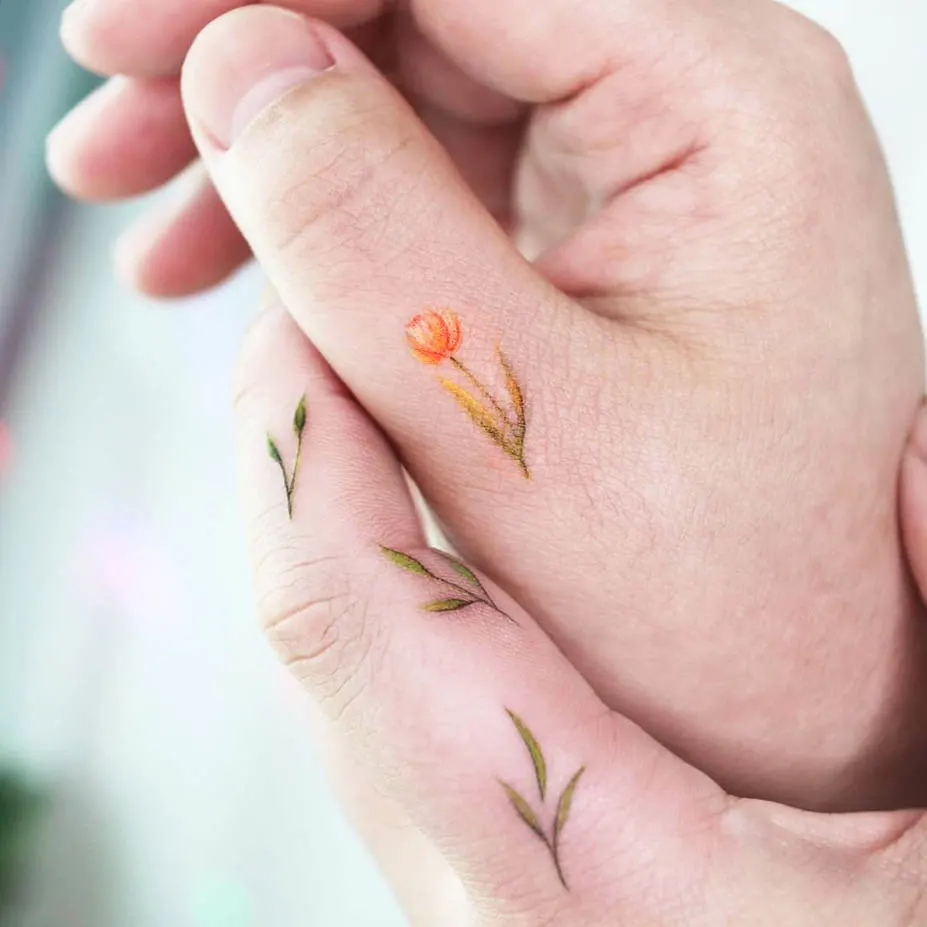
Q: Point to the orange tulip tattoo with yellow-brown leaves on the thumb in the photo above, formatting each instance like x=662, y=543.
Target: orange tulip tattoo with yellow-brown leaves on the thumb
x=435, y=336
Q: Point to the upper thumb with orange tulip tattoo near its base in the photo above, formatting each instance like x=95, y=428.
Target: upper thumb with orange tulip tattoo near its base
x=361, y=221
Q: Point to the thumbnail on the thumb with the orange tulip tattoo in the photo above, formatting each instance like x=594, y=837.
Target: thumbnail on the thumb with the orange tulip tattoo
x=287, y=51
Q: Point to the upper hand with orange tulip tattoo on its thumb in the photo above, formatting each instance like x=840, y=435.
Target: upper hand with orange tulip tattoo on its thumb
x=709, y=372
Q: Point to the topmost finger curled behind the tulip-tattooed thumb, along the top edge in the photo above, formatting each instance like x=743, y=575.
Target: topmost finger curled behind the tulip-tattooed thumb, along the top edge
x=552, y=50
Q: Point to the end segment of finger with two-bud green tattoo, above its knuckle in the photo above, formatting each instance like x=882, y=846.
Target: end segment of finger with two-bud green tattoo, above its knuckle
x=310, y=459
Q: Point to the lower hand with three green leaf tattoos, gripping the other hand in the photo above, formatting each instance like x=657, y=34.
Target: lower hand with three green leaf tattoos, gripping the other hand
x=458, y=740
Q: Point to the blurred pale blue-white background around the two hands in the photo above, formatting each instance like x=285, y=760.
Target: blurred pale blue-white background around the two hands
x=154, y=768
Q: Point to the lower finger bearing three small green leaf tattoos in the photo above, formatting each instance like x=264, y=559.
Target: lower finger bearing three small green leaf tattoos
x=461, y=709
